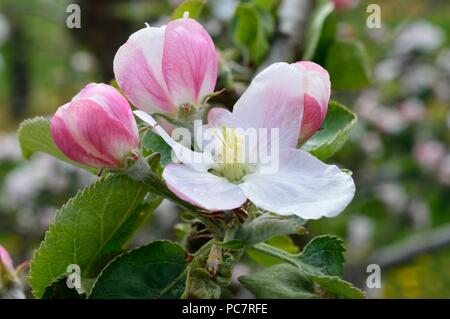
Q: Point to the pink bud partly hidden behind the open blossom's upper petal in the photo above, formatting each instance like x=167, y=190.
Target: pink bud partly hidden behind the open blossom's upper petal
x=317, y=88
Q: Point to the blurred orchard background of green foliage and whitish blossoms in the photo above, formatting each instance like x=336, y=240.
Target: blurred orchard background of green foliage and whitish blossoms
x=398, y=152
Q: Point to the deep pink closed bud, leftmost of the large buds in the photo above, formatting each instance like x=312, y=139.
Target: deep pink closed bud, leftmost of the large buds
x=97, y=128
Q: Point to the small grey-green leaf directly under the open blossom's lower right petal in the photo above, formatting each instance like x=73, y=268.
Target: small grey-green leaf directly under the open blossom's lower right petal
x=267, y=226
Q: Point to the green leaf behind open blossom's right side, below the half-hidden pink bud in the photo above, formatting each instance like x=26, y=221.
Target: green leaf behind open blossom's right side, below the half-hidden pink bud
x=334, y=134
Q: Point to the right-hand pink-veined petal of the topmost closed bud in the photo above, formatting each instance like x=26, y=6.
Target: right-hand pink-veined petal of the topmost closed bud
x=189, y=61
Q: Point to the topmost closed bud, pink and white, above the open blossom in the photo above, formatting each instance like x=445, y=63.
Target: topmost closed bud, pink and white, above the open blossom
x=162, y=68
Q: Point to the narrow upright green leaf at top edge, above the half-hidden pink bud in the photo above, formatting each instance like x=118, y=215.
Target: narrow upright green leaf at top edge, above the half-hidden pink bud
x=321, y=14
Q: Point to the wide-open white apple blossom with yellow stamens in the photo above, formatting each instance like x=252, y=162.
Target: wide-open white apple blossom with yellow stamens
x=302, y=185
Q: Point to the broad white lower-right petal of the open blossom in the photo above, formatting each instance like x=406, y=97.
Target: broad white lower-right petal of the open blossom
x=303, y=186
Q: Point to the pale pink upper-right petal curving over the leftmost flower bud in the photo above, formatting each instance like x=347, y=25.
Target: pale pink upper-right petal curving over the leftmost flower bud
x=112, y=102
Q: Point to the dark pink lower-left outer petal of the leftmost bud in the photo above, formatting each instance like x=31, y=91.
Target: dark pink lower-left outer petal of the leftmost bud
x=69, y=146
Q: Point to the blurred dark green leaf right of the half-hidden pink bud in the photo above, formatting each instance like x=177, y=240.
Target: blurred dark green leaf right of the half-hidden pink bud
x=347, y=63
